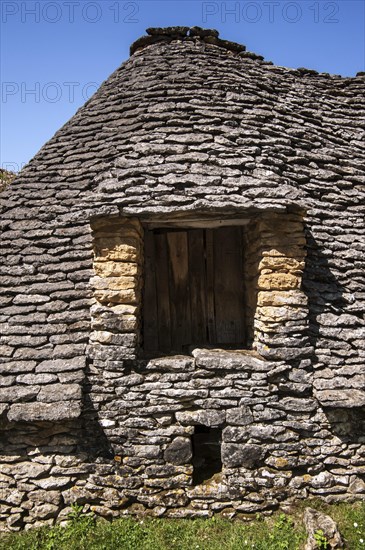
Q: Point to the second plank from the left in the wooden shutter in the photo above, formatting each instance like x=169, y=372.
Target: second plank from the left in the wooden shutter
x=162, y=291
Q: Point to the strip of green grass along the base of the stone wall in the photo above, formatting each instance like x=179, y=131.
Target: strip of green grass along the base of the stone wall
x=279, y=532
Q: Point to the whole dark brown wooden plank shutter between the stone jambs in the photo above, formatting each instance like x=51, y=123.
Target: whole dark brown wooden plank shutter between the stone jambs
x=194, y=289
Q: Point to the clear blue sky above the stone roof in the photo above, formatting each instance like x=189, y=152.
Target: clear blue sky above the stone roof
x=54, y=54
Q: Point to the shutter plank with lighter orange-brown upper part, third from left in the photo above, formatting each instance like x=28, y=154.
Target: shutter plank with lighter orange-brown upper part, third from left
x=179, y=290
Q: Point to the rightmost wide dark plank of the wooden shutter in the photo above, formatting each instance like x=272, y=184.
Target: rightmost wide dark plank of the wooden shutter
x=228, y=285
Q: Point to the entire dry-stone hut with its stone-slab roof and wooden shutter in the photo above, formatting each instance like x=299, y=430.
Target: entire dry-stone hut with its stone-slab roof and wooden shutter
x=183, y=292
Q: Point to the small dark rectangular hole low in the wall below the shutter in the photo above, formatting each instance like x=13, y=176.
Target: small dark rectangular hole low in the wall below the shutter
x=207, y=461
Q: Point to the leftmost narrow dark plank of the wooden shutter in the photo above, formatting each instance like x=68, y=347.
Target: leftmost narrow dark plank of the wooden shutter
x=150, y=323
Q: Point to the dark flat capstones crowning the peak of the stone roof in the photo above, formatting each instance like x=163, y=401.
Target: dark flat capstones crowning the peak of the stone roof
x=168, y=34
